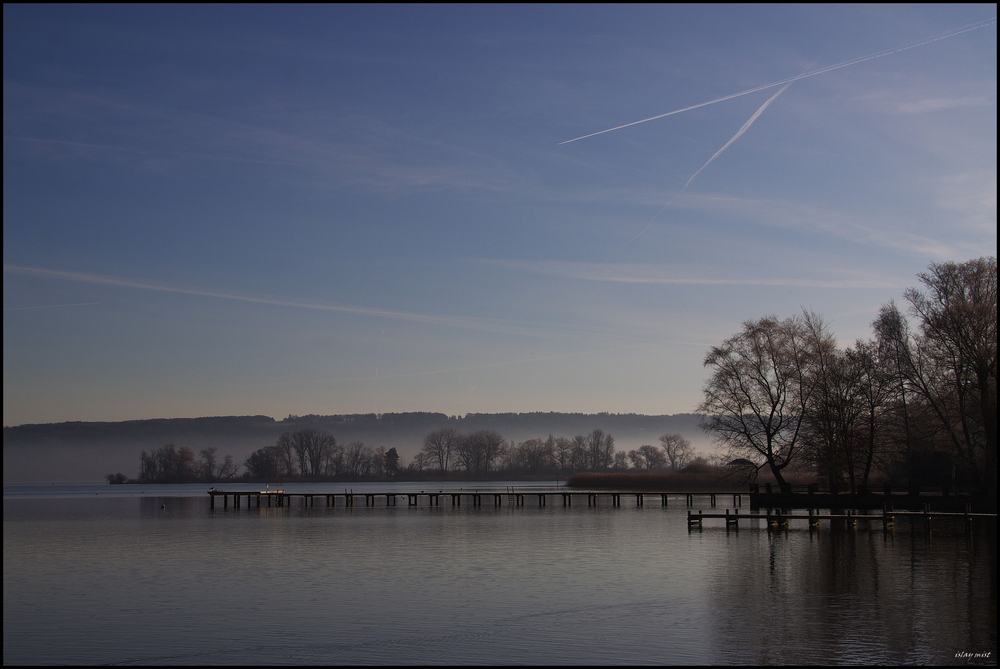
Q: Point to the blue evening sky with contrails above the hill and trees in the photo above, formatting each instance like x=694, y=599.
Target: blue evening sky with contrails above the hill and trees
x=262, y=209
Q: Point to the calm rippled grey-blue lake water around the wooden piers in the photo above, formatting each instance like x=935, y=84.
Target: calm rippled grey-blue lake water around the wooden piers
x=96, y=574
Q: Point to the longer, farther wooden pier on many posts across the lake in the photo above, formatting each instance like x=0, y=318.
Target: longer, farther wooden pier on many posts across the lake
x=512, y=495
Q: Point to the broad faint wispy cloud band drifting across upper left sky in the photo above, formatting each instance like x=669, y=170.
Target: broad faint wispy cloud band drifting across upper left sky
x=340, y=148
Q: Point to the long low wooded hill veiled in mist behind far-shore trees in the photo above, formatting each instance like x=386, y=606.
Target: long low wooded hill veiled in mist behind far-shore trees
x=86, y=451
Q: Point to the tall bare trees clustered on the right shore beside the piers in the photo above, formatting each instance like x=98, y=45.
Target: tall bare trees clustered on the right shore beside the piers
x=912, y=404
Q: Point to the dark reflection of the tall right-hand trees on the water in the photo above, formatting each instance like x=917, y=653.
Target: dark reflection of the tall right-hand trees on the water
x=833, y=597
